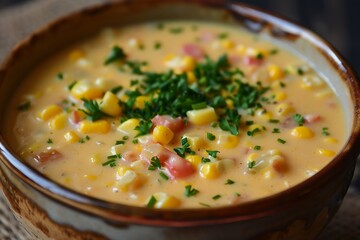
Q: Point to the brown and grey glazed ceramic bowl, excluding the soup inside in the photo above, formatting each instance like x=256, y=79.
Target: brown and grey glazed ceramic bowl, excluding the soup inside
x=50, y=211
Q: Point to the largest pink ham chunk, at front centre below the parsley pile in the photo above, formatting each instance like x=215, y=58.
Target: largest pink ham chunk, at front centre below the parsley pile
x=177, y=166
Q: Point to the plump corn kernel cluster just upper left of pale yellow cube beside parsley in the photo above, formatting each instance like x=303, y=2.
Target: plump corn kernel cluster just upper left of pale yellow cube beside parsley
x=83, y=89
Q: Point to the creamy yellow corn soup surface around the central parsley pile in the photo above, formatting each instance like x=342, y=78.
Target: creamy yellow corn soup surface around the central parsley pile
x=294, y=129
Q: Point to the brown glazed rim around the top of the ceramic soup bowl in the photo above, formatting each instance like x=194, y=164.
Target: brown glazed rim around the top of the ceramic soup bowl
x=124, y=214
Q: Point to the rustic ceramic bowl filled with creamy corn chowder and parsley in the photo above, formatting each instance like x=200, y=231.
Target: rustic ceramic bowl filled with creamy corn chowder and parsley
x=176, y=120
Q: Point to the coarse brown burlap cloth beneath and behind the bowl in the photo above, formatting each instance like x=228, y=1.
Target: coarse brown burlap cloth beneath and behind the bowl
x=18, y=21
